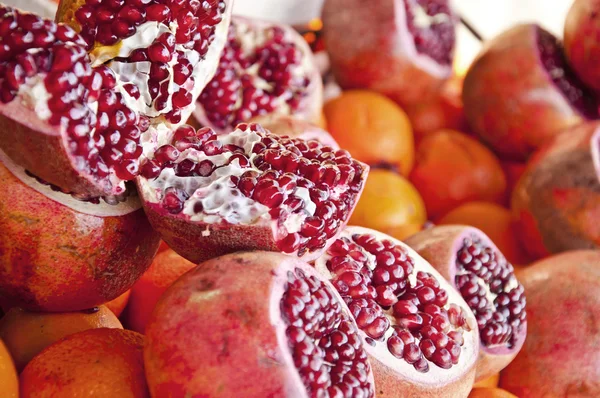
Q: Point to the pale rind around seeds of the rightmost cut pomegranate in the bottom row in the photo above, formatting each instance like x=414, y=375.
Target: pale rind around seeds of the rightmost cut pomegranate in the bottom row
x=440, y=246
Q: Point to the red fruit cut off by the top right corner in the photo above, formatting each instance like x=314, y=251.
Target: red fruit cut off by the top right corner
x=582, y=28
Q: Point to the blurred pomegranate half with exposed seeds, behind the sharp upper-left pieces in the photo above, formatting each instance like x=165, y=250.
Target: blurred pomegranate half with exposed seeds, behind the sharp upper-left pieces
x=266, y=69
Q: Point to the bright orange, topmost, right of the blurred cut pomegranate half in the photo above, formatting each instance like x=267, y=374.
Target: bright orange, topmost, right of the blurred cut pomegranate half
x=373, y=128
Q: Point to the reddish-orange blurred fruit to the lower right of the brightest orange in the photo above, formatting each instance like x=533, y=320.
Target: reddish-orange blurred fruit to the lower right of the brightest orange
x=452, y=168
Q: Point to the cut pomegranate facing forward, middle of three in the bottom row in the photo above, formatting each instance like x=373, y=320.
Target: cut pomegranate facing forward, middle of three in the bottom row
x=419, y=333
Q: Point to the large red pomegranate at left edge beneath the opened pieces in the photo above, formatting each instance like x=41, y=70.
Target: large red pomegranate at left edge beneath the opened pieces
x=61, y=254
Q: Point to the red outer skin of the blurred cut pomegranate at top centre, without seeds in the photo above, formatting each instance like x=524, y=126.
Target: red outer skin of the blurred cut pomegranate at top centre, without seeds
x=382, y=59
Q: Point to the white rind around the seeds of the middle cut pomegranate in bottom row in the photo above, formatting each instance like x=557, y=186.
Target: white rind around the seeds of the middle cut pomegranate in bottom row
x=395, y=377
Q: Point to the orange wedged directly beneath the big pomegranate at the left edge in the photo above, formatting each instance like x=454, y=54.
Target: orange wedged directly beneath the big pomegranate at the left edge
x=27, y=333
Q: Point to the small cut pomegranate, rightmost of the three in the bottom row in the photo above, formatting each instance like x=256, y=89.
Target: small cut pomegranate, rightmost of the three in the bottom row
x=469, y=260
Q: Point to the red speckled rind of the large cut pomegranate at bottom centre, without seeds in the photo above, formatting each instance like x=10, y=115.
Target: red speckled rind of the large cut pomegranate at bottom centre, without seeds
x=211, y=319
